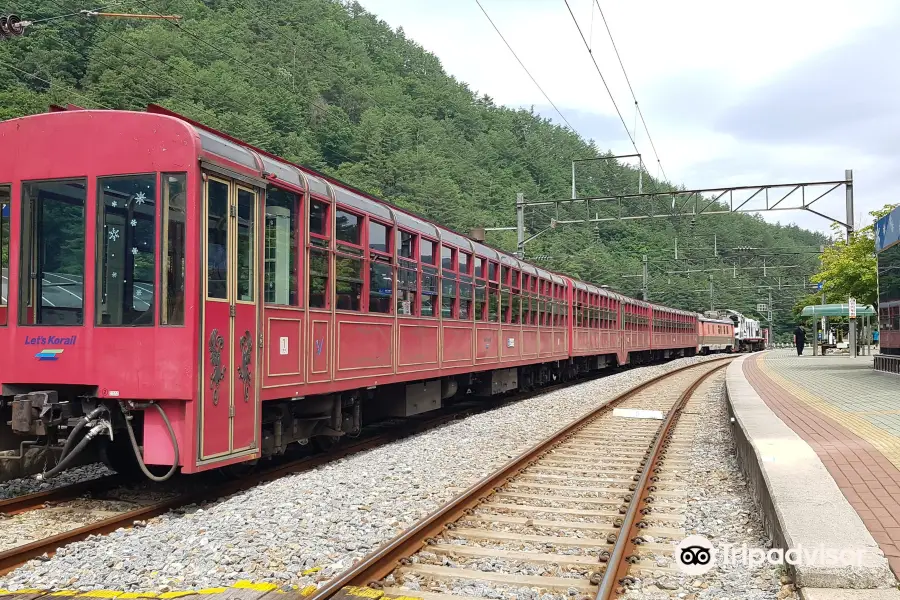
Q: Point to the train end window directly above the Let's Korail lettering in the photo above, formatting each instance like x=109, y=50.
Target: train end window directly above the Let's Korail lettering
x=53, y=252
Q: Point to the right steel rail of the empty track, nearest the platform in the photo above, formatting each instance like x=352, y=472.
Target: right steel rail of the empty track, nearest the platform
x=617, y=567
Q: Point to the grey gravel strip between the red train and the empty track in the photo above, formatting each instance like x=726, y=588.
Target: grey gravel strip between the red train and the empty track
x=305, y=528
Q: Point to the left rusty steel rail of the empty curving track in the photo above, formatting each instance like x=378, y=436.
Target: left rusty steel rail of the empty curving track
x=381, y=562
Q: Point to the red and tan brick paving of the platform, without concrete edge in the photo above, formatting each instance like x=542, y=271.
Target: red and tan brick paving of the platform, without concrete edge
x=850, y=415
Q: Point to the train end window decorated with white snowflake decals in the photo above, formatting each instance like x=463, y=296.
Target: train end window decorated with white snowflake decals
x=126, y=250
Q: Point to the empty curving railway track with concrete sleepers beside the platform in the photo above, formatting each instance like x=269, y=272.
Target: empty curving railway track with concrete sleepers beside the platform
x=582, y=514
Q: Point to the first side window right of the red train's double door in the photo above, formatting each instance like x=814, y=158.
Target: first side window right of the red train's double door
x=282, y=227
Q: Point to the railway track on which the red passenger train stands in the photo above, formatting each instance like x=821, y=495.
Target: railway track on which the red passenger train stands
x=106, y=521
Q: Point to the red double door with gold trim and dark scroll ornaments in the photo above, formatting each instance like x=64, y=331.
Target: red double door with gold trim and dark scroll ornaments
x=230, y=391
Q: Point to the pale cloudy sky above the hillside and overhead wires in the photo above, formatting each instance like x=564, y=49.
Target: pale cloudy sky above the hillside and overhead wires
x=733, y=93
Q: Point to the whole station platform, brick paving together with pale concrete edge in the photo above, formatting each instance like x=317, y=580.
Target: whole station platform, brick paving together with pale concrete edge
x=848, y=414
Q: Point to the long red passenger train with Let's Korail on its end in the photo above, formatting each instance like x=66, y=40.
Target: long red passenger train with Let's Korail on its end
x=177, y=296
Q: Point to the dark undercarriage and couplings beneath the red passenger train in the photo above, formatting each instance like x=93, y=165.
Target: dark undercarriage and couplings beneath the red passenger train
x=44, y=432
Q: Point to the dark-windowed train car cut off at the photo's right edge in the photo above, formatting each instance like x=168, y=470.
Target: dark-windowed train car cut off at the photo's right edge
x=887, y=247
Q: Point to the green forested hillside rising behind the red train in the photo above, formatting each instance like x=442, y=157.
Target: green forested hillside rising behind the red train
x=329, y=85
